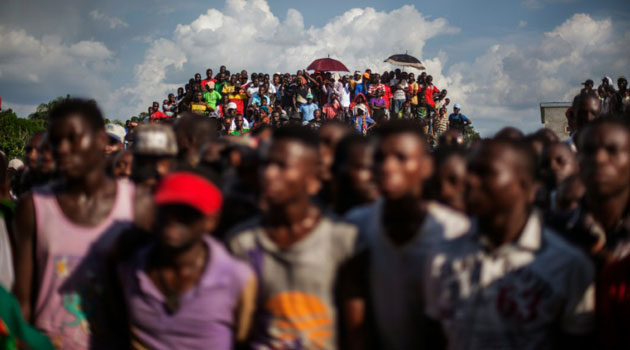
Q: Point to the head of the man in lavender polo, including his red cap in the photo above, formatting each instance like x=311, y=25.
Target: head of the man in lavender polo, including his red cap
x=187, y=208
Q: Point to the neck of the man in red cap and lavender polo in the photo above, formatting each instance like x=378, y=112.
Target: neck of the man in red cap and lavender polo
x=182, y=260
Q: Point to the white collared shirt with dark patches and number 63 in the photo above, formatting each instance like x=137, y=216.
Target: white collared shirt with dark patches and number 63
x=512, y=297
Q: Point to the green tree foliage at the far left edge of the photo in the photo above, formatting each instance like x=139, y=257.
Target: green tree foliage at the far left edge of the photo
x=16, y=132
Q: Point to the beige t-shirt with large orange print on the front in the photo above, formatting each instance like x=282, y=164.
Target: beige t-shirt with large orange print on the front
x=296, y=299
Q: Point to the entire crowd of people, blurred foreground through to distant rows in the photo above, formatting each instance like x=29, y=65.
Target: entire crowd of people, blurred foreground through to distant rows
x=187, y=235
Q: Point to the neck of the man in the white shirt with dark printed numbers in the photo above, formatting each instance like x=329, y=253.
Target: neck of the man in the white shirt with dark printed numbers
x=505, y=227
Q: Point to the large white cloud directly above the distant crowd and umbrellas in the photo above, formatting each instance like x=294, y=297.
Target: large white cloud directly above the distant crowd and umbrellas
x=247, y=35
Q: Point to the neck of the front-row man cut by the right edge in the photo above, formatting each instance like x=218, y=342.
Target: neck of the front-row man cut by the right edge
x=608, y=210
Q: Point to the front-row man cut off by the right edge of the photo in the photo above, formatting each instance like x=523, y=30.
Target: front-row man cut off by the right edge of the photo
x=603, y=225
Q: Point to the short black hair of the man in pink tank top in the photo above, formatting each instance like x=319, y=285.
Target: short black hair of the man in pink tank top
x=87, y=109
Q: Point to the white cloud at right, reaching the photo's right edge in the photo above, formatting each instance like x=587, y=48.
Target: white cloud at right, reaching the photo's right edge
x=505, y=85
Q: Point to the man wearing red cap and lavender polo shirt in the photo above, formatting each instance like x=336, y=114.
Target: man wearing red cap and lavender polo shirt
x=184, y=290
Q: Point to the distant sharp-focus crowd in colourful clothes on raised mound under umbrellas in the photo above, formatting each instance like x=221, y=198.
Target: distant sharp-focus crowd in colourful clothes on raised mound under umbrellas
x=363, y=100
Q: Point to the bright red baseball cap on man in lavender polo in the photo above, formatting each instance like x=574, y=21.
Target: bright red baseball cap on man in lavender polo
x=189, y=189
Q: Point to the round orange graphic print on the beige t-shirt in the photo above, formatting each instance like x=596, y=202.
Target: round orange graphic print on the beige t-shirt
x=299, y=321
